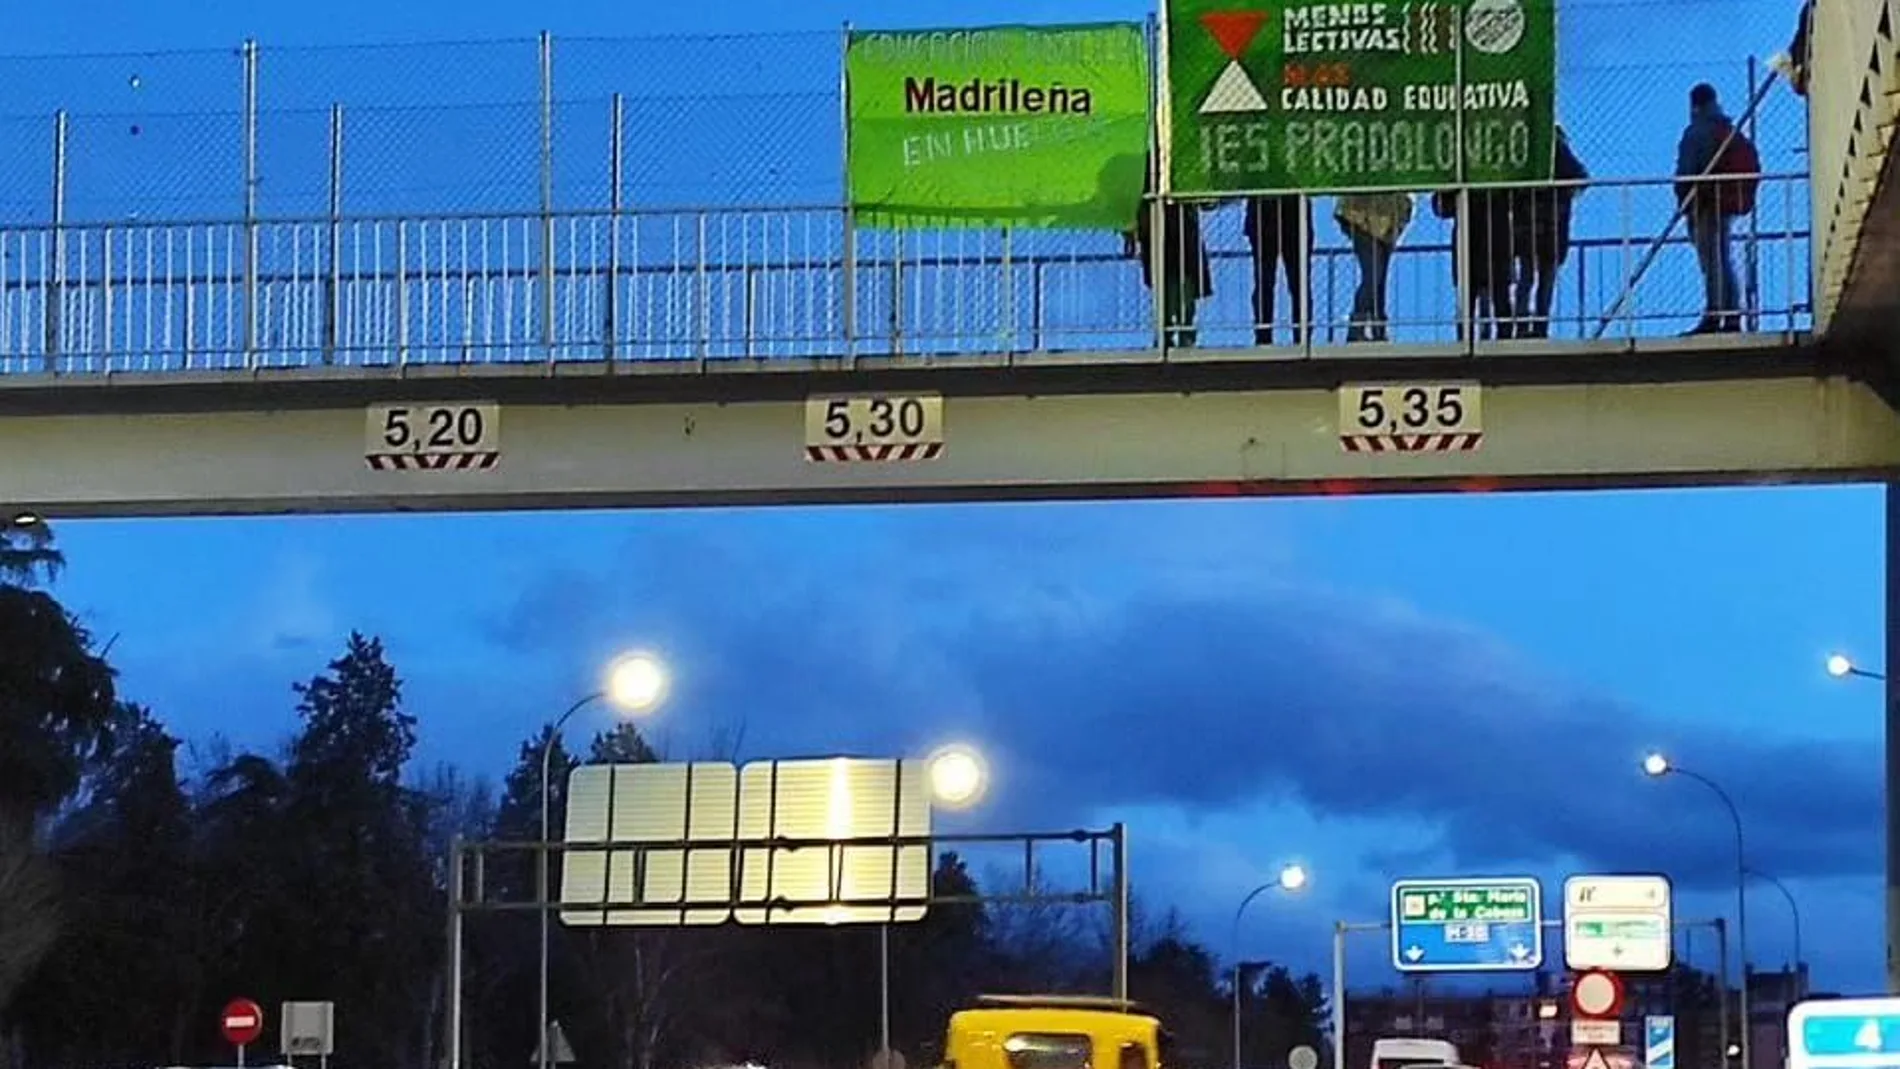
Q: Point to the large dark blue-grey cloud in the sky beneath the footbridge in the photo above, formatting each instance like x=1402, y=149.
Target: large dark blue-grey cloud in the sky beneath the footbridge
x=1139, y=660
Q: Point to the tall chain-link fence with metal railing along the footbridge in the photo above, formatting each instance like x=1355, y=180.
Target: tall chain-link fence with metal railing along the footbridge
x=573, y=198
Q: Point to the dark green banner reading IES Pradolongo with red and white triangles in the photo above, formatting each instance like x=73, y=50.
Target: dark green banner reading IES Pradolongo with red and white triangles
x=1308, y=96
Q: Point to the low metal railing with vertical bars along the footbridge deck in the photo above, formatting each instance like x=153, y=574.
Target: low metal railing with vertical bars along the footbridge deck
x=774, y=284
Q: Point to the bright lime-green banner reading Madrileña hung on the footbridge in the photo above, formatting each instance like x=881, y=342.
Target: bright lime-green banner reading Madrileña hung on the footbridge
x=1006, y=126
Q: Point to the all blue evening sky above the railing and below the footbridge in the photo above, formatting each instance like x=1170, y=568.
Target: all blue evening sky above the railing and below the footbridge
x=1377, y=686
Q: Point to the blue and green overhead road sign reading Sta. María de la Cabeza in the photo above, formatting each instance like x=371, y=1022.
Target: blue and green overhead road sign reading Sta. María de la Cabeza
x=1468, y=926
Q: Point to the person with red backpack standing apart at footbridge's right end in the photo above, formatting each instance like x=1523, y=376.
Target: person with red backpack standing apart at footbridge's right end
x=1713, y=145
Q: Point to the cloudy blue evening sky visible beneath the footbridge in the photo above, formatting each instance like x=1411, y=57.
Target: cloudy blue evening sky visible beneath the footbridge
x=1378, y=688
